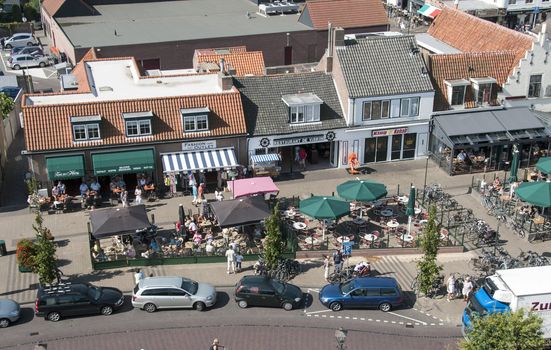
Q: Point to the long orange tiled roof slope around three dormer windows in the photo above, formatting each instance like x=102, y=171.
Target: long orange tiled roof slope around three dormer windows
x=48, y=127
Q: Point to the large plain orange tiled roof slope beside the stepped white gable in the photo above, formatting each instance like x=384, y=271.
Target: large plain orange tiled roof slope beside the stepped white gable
x=472, y=34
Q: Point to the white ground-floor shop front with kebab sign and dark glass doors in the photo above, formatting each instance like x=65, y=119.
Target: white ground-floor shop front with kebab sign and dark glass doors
x=385, y=144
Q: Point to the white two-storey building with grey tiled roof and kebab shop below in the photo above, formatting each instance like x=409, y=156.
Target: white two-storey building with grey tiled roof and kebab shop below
x=386, y=94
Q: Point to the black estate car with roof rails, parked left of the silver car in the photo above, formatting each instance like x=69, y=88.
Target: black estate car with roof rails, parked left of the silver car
x=68, y=299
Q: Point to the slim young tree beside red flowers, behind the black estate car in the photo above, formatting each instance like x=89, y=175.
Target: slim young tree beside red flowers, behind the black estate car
x=44, y=258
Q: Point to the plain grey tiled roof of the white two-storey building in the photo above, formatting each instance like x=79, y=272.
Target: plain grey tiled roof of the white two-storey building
x=378, y=66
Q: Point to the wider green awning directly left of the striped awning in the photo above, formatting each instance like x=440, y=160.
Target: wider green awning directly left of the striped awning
x=123, y=162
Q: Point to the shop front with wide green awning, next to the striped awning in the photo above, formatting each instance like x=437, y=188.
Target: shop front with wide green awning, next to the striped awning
x=127, y=165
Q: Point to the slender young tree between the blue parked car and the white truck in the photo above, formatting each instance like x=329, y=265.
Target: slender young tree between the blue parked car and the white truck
x=428, y=269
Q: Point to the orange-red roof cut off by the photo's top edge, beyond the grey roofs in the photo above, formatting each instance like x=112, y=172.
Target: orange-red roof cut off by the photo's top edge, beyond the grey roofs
x=345, y=13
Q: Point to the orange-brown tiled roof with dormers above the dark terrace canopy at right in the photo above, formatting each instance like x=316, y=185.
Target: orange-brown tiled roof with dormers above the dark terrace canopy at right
x=468, y=65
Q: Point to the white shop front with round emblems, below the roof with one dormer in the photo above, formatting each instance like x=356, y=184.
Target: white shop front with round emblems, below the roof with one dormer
x=298, y=152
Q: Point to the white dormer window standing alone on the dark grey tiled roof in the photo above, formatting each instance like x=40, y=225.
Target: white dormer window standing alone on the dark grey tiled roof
x=303, y=108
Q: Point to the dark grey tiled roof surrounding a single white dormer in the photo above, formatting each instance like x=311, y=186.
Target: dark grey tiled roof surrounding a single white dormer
x=267, y=114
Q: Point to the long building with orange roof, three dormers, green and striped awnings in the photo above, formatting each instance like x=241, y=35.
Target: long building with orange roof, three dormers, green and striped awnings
x=130, y=126
